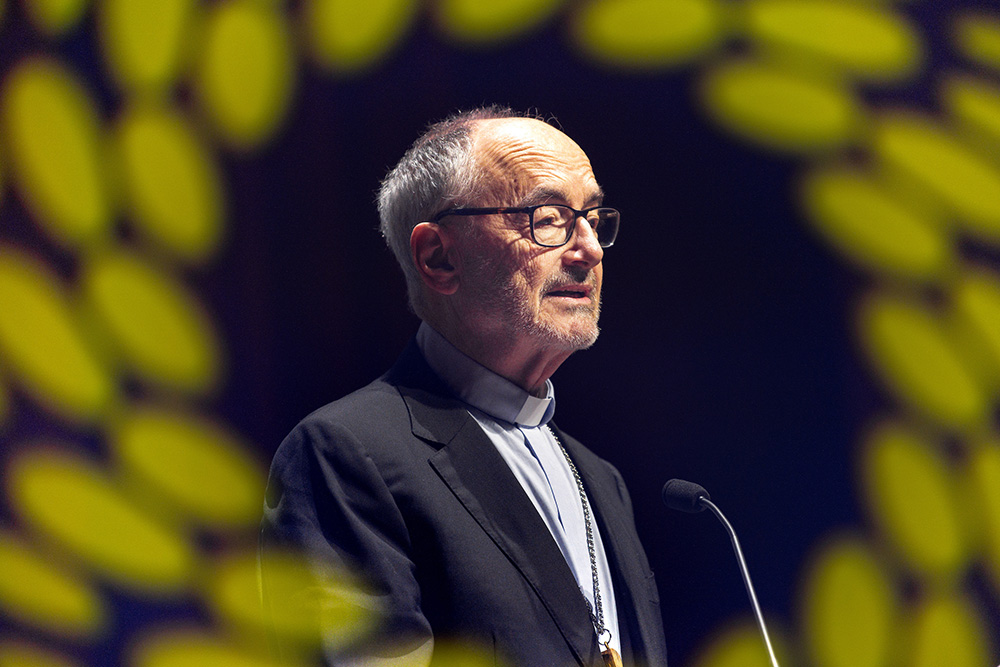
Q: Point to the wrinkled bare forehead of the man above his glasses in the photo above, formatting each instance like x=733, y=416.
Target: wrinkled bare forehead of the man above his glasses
x=518, y=157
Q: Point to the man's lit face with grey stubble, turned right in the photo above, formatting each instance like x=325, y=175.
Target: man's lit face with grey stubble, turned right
x=511, y=287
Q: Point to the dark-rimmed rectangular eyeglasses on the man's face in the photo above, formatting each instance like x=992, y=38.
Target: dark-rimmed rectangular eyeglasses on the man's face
x=552, y=225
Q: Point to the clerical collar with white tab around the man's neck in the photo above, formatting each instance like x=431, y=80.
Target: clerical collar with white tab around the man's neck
x=482, y=388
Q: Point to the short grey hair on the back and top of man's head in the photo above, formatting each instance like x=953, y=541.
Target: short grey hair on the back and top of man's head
x=439, y=171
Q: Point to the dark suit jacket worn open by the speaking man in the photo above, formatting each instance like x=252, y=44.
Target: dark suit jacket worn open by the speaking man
x=398, y=482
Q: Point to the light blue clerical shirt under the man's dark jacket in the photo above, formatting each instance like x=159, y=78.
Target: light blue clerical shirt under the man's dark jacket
x=516, y=423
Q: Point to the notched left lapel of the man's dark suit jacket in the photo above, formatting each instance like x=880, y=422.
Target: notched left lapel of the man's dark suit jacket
x=470, y=465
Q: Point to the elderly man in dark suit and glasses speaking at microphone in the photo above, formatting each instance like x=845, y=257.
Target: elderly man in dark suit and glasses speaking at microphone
x=444, y=484
